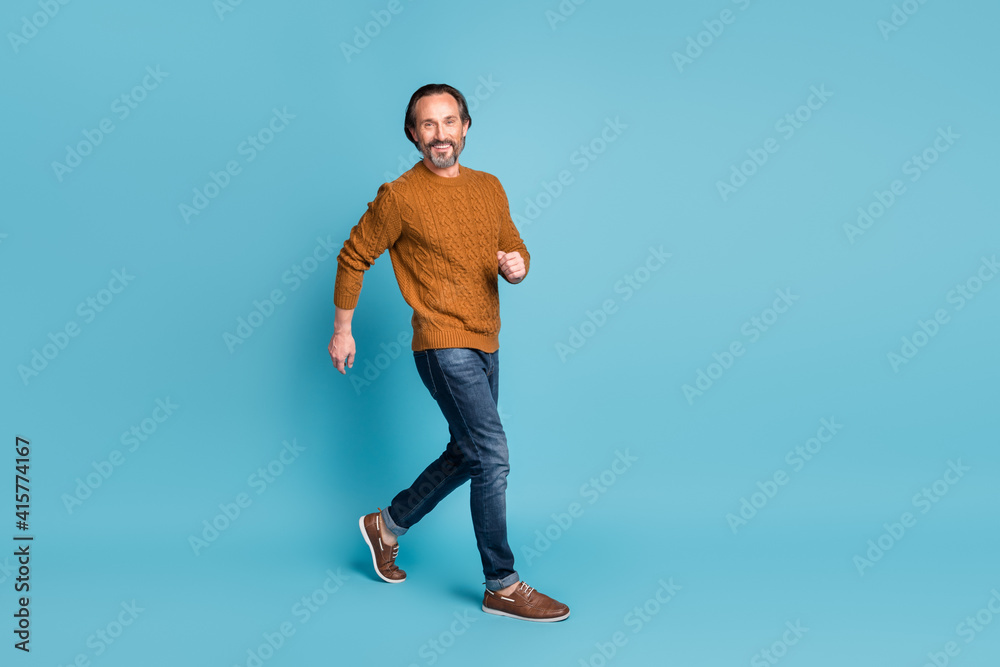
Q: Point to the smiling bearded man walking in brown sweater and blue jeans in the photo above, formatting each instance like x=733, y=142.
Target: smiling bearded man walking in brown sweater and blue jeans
x=450, y=235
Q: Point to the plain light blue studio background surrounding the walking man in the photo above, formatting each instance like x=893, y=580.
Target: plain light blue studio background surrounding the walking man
x=541, y=89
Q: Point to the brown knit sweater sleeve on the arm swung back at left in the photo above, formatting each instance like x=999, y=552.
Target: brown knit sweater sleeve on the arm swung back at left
x=378, y=230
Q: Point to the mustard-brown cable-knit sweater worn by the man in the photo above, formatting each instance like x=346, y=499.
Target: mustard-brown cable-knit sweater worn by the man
x=442, y=235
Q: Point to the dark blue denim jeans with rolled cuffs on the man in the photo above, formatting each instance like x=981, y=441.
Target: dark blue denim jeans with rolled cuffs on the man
x=465, y=383
